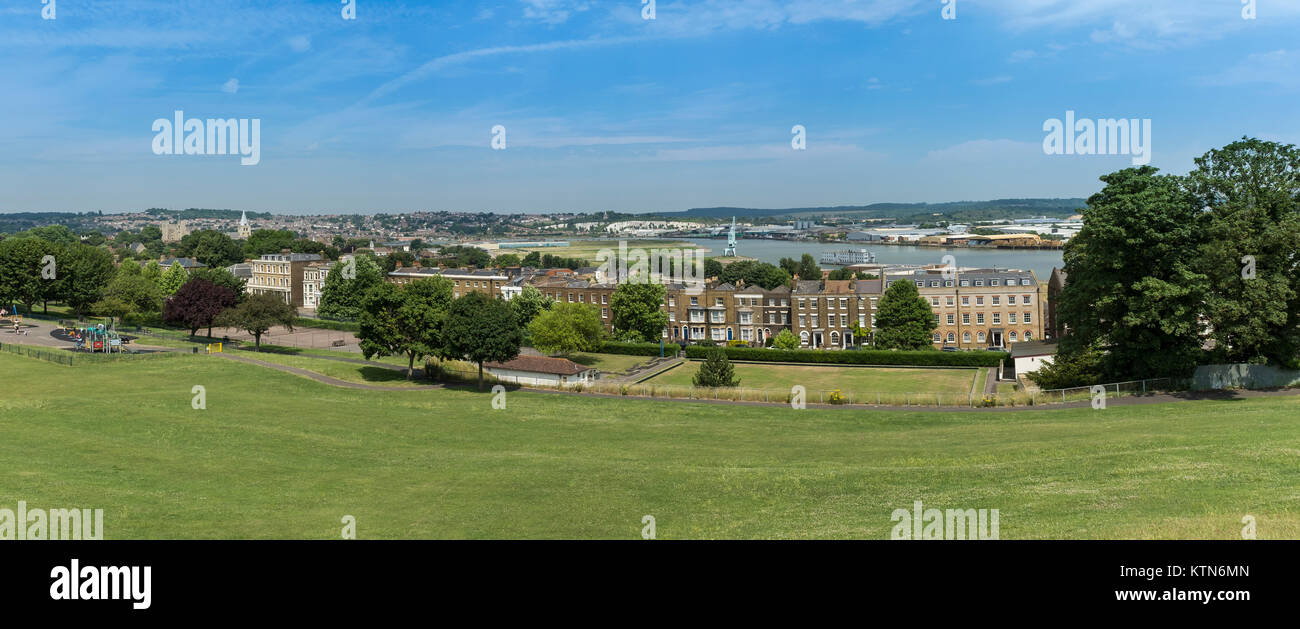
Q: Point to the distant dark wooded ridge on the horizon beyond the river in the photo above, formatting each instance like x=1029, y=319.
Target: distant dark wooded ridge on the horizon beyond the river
x=957, y=211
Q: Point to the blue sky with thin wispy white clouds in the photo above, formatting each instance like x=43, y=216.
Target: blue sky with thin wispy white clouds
x=604, y=110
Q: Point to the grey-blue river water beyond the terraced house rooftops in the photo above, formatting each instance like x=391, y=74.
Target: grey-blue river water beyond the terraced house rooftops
x=1041, y=262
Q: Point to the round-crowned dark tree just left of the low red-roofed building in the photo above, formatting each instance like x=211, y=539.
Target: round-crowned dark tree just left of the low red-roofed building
x=482, y=329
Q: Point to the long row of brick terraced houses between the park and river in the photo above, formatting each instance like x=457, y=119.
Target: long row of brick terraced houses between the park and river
x=978, y=309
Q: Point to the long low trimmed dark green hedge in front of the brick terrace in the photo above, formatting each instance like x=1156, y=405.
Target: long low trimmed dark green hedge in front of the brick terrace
x=856, y=357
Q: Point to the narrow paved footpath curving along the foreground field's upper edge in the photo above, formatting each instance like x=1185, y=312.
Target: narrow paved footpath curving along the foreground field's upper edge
x=1117, y=402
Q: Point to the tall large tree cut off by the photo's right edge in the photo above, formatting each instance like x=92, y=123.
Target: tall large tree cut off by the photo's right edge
x=1253, y=190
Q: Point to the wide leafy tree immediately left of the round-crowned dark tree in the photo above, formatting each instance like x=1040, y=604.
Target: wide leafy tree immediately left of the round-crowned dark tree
x=406, y=320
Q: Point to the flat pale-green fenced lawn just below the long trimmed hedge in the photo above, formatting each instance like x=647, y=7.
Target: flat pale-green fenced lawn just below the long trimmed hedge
x=859, y=380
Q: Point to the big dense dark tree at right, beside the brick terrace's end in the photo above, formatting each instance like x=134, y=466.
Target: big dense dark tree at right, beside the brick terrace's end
x=1134, y=290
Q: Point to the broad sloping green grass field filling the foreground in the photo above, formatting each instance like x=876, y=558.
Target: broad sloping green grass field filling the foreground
x=281, y=457
